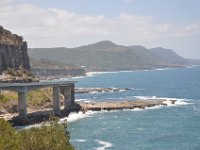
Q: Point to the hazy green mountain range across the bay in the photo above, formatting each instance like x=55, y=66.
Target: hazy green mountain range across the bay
x=108, y=56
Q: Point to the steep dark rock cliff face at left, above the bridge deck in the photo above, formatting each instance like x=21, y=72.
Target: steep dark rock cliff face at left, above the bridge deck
x=13, y=51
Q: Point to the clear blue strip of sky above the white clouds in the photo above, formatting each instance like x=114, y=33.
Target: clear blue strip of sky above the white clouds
x=181, y=11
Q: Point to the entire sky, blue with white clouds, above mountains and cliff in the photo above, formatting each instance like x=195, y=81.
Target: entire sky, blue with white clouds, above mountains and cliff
x=172, y=24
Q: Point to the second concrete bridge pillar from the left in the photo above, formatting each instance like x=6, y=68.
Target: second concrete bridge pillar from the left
x=56, y=100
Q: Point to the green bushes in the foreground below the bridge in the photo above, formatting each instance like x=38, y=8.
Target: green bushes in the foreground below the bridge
x=53, y=137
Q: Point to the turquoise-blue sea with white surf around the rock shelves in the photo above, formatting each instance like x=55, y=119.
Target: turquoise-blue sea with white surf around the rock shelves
x=161, y=128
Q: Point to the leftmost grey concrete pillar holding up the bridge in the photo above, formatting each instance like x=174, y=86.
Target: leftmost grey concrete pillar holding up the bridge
x=22, y=107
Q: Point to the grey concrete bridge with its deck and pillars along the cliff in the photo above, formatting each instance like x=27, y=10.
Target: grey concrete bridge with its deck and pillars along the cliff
x=67, y=88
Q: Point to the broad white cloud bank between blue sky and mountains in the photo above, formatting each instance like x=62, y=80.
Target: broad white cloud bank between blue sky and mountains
x=54, y=27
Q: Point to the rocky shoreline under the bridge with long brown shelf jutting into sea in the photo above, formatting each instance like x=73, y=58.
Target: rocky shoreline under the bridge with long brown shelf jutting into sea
x=39, y=116
